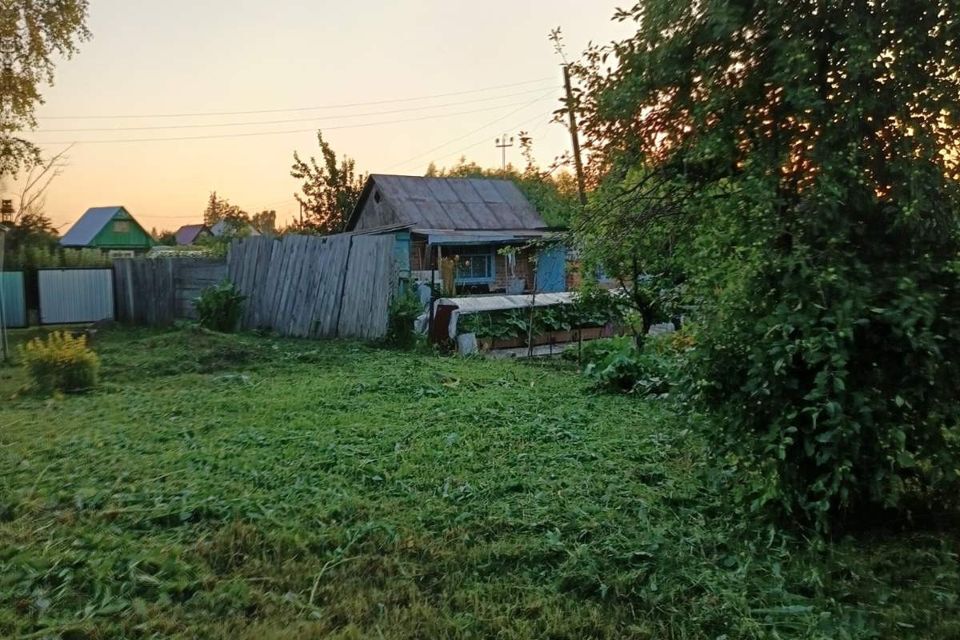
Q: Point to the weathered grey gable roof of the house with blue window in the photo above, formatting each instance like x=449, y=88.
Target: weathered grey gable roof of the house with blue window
x=449, y=203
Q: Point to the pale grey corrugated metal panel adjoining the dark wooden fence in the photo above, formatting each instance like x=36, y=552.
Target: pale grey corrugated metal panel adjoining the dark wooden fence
x=69, y=296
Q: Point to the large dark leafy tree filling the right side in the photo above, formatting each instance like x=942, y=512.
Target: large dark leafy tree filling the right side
x=828, y=276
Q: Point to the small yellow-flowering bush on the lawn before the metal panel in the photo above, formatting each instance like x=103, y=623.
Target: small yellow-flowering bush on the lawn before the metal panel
x=60, y=363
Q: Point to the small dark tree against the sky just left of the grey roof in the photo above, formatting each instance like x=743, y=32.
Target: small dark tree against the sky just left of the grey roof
x=331, y=189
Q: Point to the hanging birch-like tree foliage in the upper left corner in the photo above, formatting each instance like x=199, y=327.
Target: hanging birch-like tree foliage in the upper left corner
x=32, y=33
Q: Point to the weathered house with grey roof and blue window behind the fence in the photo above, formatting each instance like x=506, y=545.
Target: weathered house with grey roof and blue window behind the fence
x=474, y=221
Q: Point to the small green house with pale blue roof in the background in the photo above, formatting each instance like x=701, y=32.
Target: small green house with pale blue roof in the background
x=110, y=229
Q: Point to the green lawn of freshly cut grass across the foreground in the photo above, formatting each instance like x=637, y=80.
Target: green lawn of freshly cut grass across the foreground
x=244, y=487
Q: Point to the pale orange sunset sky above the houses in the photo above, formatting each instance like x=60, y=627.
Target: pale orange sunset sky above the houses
x=393, y=84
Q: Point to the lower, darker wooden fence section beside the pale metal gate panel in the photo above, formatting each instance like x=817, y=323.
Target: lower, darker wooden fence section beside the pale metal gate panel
x=157, y=291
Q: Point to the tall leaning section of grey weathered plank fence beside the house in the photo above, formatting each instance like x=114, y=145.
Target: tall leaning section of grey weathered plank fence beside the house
x=307, y=286
